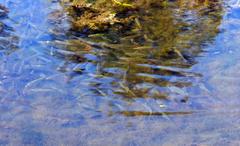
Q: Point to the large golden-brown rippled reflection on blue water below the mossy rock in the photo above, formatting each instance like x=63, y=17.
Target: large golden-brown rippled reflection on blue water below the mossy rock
x=152, y=60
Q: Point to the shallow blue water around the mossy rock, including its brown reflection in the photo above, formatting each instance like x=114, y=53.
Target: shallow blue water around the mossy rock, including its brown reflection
x=56, y=89
